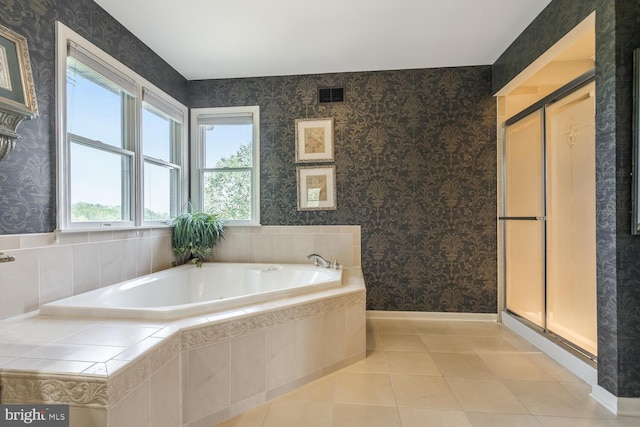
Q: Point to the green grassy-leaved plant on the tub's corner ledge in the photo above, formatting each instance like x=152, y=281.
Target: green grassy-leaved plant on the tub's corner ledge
x=195, y=234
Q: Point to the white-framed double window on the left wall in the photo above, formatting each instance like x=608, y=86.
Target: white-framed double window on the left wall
x=120, y=143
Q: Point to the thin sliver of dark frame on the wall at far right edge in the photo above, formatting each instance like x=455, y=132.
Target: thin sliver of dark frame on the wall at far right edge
x=635, y=192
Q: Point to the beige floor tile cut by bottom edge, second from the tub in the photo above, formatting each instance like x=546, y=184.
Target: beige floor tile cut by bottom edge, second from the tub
x=296, y=413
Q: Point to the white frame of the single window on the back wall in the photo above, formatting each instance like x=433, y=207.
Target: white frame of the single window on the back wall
x=198, y=158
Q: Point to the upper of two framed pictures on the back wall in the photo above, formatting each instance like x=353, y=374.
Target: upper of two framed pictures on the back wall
x=314, y=140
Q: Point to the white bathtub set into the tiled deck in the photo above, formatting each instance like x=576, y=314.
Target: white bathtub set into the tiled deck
x=188, y=290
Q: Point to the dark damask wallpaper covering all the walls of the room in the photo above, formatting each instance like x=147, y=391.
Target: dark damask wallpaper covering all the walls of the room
x=415, y=155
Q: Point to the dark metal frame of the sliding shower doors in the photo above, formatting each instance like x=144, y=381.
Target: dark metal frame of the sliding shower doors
x=539, y=106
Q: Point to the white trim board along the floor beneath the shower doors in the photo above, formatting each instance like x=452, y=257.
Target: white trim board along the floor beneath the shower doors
x=577, y=366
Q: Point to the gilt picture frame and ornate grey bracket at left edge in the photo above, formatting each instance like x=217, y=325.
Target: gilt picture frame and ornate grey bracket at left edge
x=17, y=91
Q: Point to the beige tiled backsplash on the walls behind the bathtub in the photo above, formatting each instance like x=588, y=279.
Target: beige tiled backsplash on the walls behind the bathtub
x=51, y=266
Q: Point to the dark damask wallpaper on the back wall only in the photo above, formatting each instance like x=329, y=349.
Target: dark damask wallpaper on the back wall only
x=416, y=168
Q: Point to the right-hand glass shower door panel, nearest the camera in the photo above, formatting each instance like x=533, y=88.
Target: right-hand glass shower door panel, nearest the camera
x=571, y=222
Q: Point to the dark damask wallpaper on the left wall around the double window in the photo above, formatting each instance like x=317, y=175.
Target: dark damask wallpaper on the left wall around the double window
x=27, y=176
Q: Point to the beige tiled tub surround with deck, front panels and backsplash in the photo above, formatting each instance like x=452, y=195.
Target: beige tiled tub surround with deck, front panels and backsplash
x=196, y=371
